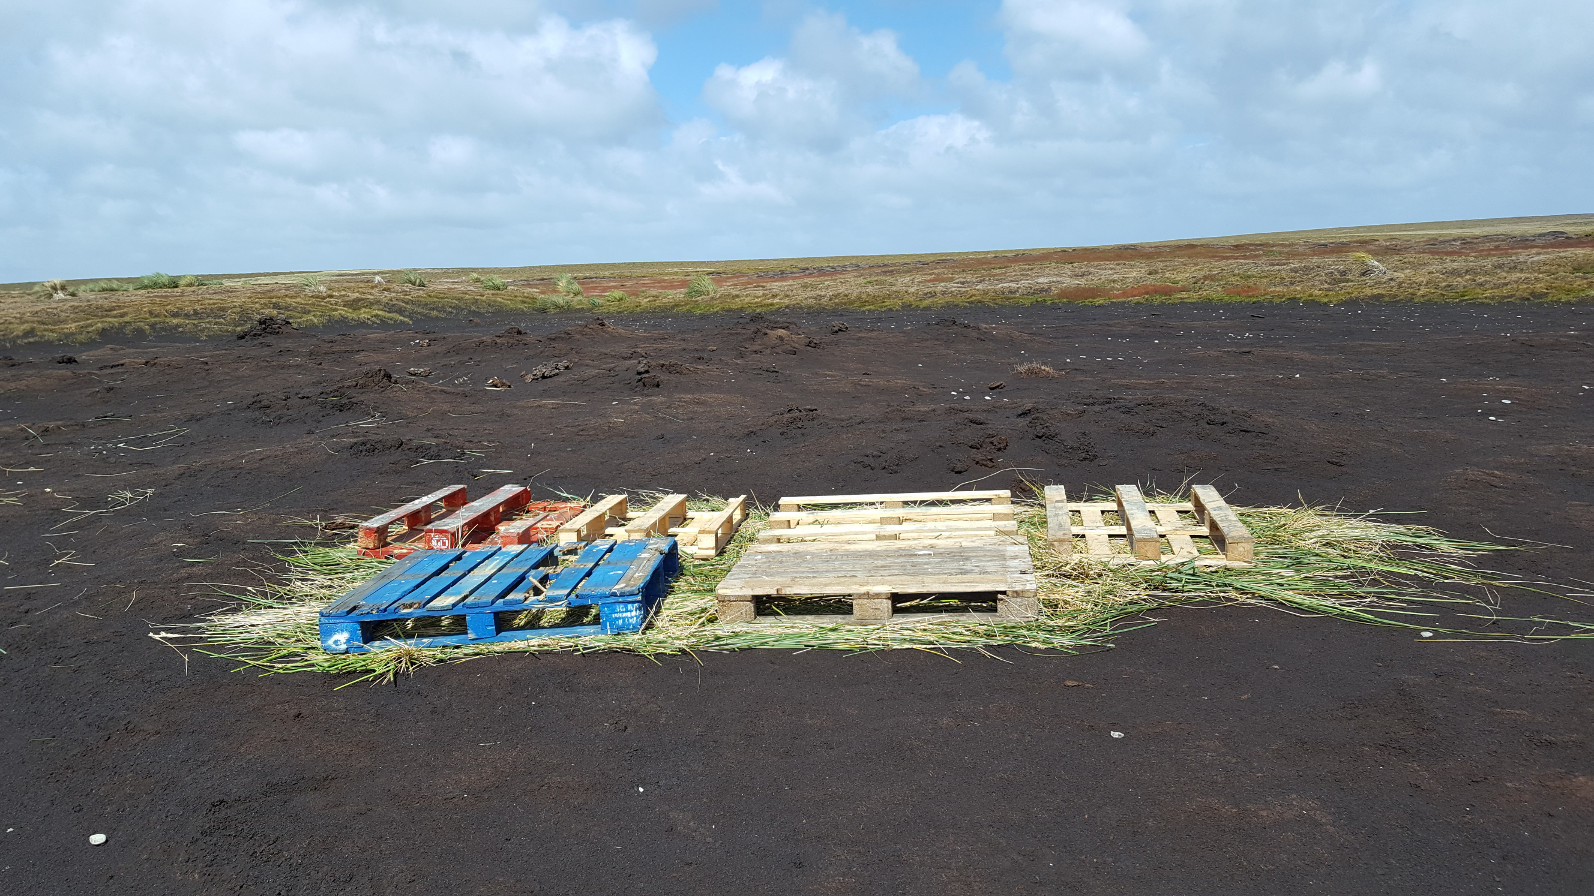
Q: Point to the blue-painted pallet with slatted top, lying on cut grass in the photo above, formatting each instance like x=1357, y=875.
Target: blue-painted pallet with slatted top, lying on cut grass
x=624, y=580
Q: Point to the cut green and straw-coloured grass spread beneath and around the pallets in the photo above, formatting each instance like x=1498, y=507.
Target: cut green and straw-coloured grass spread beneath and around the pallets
x=1309, y=562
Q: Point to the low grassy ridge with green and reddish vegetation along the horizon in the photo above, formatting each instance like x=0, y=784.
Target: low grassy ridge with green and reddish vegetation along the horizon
x=1499, y=261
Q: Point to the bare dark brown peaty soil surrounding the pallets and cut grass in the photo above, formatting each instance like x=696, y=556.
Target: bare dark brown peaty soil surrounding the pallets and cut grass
x=1262, y=753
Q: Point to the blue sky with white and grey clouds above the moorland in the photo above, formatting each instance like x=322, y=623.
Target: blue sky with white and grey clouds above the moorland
x=200, y=136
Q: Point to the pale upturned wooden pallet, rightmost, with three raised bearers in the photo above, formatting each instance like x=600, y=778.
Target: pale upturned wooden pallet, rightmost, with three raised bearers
x=1129, y=530
